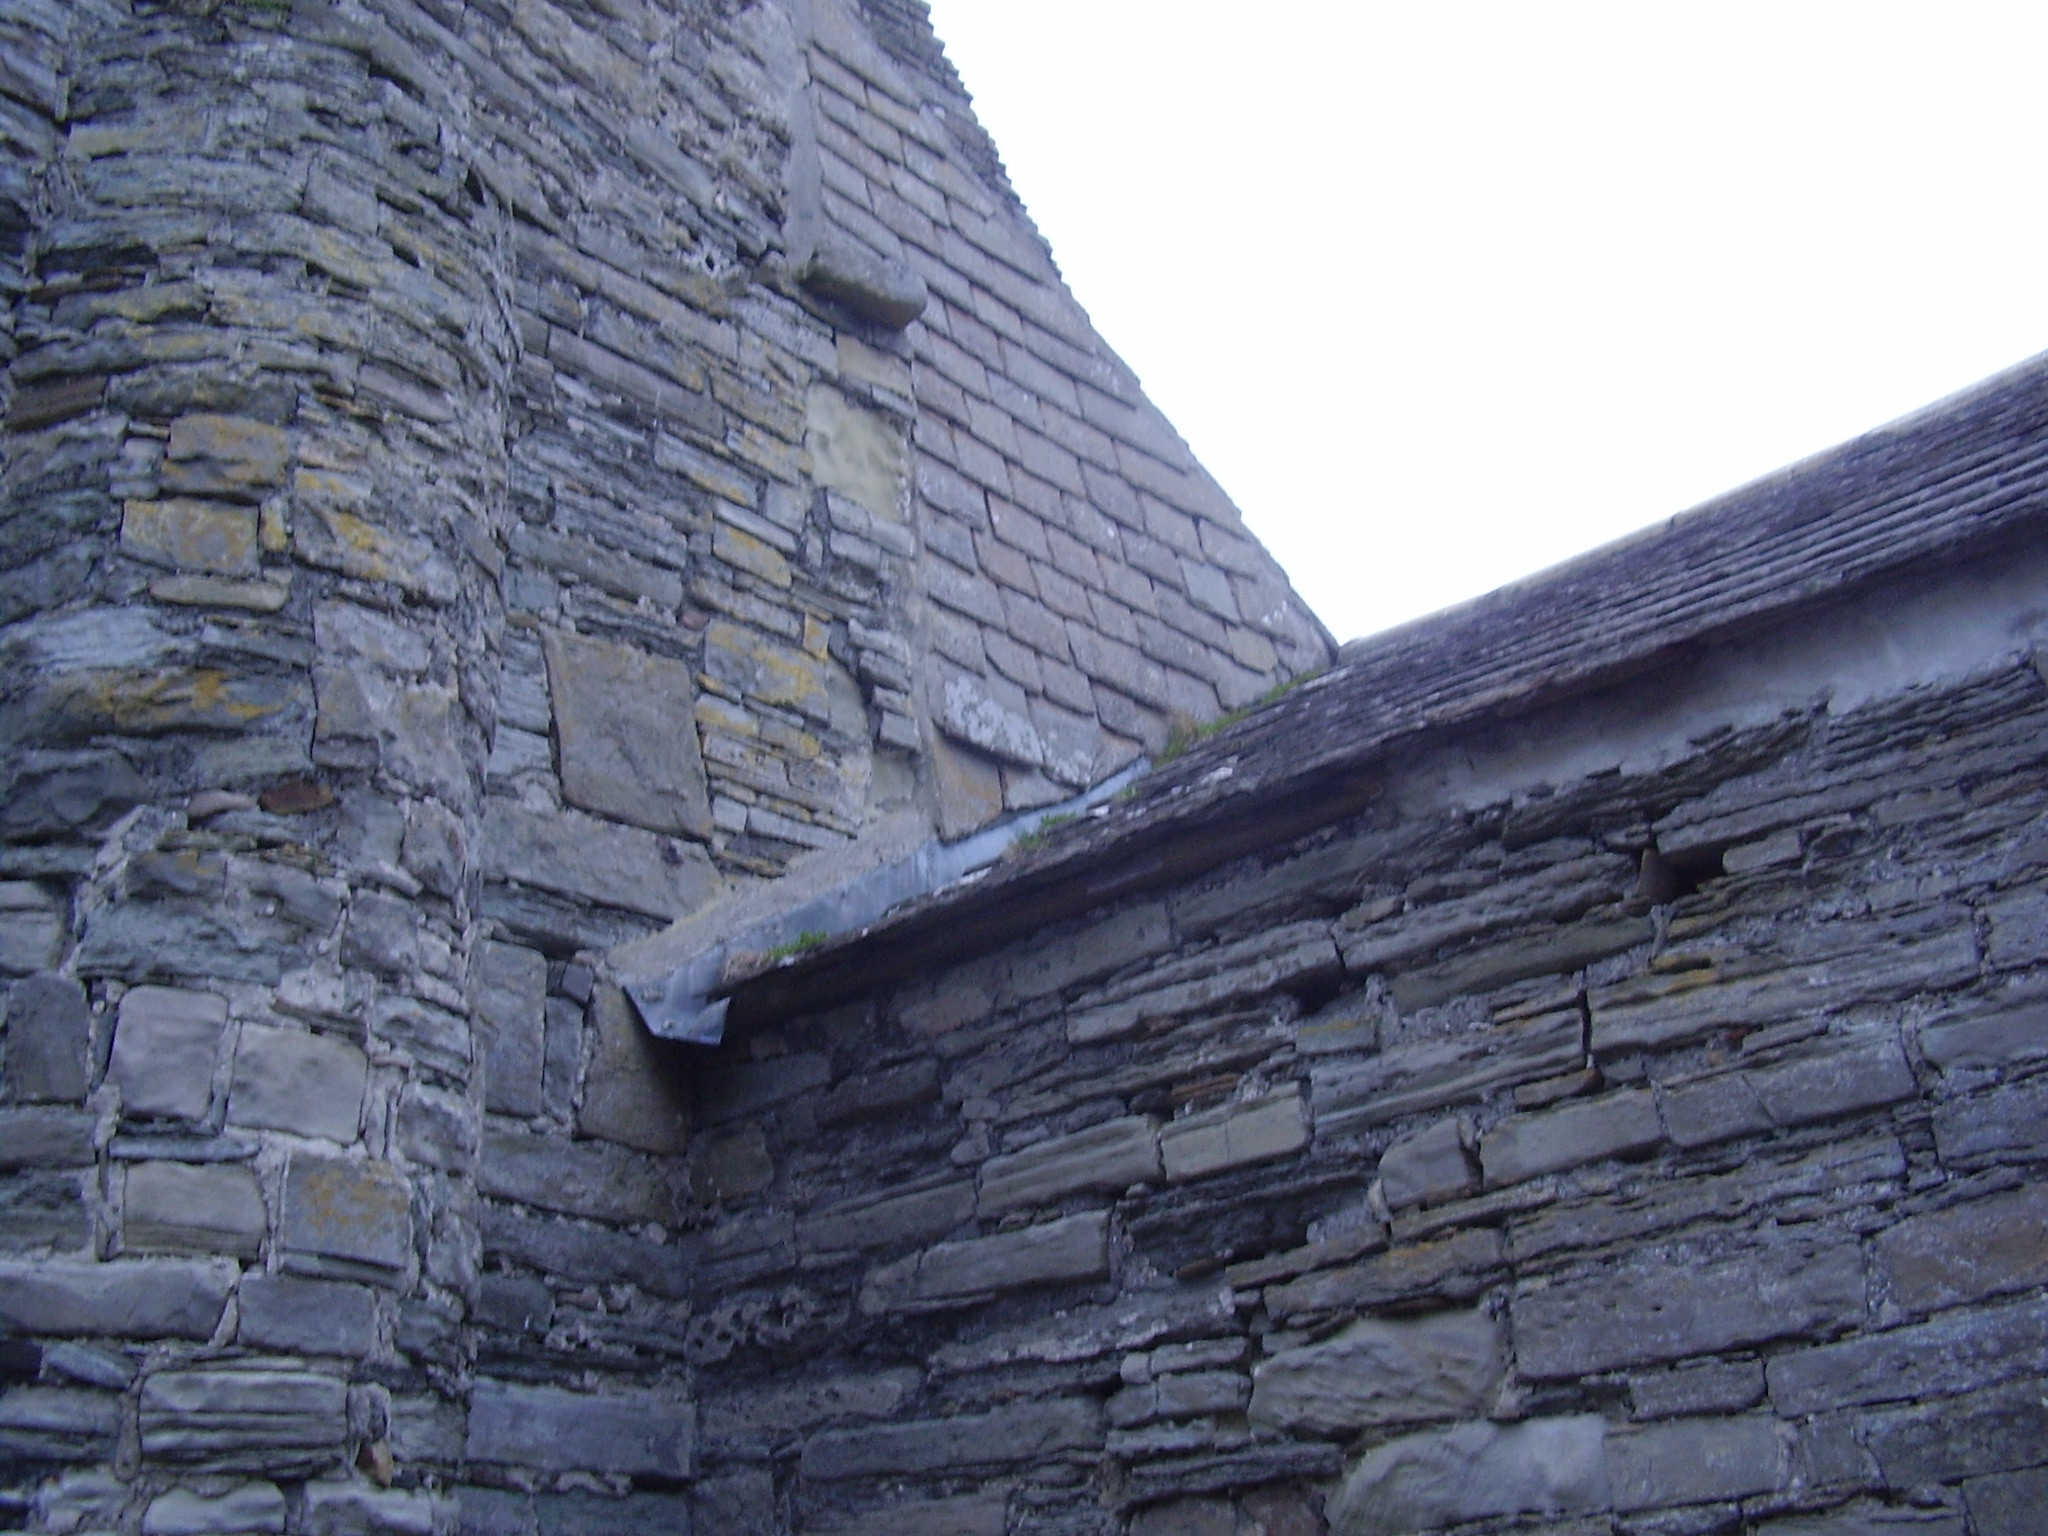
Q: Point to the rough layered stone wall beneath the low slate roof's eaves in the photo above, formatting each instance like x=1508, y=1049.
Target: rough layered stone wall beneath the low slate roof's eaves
x=1629, y=1121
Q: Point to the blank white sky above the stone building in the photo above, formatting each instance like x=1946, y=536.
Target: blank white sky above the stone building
x=1447, y=292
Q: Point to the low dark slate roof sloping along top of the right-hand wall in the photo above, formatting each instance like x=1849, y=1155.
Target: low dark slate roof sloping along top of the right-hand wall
x=1953, y=482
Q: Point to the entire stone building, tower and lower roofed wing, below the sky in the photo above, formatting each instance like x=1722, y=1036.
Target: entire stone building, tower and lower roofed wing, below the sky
x=517, y=511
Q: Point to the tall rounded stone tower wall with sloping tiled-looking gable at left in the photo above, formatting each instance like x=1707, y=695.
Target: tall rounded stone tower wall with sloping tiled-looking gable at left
x=480, y=484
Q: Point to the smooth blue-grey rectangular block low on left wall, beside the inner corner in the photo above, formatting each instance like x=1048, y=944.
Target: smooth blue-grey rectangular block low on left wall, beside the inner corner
x=638, y=1435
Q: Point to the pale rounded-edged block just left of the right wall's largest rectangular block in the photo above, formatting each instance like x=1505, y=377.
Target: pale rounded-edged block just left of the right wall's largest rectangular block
x=1373, y=1373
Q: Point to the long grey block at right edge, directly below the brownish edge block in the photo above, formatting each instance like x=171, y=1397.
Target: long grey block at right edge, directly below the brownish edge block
x=1949, y=1355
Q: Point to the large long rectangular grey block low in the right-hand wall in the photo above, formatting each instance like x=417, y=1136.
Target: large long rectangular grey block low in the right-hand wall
x=1672, y=1308
